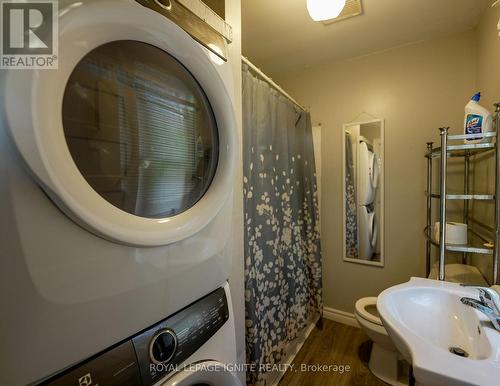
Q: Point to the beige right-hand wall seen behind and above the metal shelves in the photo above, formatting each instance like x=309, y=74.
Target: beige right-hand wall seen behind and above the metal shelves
x=488, y=81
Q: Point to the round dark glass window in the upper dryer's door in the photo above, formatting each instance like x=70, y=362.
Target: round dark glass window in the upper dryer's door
x=140, y=129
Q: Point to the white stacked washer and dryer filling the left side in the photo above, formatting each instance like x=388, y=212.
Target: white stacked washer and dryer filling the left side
x=116, y=175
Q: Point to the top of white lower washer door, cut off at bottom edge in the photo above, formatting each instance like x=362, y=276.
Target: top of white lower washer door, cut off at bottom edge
x=208, y=373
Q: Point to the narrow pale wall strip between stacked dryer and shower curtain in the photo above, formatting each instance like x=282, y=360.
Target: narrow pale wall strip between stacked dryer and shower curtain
x=236, y=280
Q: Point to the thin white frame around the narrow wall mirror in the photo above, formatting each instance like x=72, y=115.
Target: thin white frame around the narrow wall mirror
x=380, y=263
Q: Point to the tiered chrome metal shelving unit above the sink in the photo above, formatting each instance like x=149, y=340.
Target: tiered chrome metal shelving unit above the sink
x=465, y=151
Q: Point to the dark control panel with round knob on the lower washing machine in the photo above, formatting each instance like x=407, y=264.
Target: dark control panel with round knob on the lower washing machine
x=155, y=352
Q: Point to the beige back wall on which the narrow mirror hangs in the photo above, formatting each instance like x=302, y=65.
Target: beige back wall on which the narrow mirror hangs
x=416, y=89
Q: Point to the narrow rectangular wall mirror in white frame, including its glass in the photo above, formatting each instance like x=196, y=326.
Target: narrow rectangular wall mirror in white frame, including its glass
x=363, y=192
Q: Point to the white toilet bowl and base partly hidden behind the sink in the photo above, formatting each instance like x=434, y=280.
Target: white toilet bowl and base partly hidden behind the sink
x=385, y=361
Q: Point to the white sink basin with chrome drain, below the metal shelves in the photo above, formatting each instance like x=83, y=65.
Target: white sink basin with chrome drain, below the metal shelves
x=425, y=319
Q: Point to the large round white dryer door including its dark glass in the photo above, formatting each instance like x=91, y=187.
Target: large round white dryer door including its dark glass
x=134, y=136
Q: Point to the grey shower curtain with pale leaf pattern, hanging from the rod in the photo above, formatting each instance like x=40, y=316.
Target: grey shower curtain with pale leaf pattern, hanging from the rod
x=283, y=272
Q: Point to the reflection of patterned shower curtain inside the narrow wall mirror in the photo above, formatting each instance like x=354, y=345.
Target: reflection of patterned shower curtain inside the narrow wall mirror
x=351, y=211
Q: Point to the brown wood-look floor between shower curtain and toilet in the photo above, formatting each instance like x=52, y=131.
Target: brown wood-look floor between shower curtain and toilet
x=336, y=344
